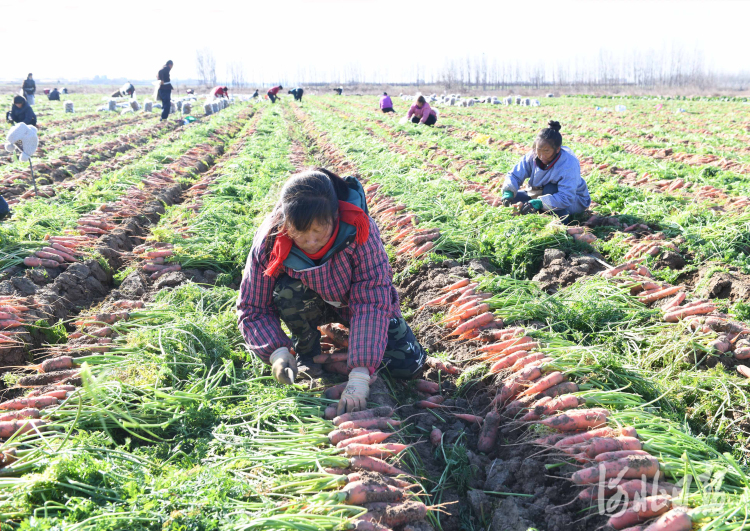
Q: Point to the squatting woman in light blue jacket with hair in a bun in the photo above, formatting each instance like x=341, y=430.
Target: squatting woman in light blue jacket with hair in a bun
x=554, y=174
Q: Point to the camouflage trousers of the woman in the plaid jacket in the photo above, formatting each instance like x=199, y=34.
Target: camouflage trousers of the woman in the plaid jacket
x=303, y=311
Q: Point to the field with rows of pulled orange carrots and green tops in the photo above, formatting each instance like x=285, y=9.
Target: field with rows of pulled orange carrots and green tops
x=580, y=376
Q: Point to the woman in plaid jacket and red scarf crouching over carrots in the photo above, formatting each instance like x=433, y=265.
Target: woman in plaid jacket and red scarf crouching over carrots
x=318, y=259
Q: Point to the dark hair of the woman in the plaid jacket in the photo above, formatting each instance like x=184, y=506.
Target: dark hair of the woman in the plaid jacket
x=309, y=196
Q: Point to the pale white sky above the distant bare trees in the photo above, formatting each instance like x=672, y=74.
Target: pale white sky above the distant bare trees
x=277, y=39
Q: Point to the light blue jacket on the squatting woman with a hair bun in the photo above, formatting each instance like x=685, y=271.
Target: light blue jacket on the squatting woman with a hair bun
x=572, y=192
